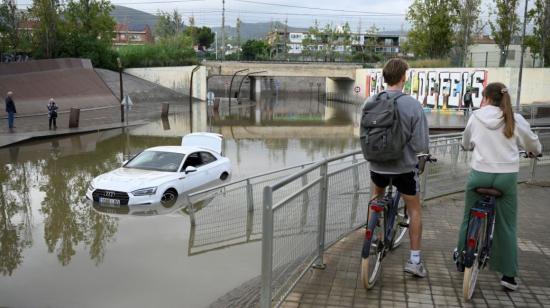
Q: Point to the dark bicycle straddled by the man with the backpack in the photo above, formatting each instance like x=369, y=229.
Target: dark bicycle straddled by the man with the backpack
x=385, y=229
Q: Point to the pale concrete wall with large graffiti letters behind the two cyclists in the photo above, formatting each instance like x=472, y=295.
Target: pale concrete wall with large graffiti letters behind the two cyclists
x=453, y=82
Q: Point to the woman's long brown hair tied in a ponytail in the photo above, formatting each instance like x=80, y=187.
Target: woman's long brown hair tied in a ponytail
x=497, y=95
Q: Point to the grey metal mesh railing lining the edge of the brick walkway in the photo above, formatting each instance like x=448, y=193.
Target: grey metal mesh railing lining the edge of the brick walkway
x=298, y=229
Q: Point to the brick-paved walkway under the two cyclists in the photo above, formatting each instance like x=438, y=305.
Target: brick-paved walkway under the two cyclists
x=339, y=285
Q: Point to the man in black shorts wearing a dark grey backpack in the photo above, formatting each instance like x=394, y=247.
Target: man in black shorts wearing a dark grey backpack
x=394, y=129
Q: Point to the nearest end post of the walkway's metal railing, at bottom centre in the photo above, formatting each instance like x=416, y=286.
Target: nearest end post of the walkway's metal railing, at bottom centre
x=267, y=248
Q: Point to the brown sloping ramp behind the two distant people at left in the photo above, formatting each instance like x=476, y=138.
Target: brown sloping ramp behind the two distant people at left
x=71, y=82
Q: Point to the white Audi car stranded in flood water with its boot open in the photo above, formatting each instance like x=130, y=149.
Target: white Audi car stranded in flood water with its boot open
x=161, y=174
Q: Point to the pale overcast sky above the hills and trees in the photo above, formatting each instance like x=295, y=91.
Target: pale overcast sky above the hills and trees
x=385, y=14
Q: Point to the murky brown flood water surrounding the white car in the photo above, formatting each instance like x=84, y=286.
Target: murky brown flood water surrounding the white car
x=57, y=250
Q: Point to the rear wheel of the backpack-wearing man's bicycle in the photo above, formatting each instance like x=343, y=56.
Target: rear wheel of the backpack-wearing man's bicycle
x=371, y=261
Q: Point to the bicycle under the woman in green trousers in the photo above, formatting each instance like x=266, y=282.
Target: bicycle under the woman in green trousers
x=479, y=236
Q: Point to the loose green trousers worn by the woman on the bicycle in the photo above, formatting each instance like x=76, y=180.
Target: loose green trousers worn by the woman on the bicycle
x=504, y=257
